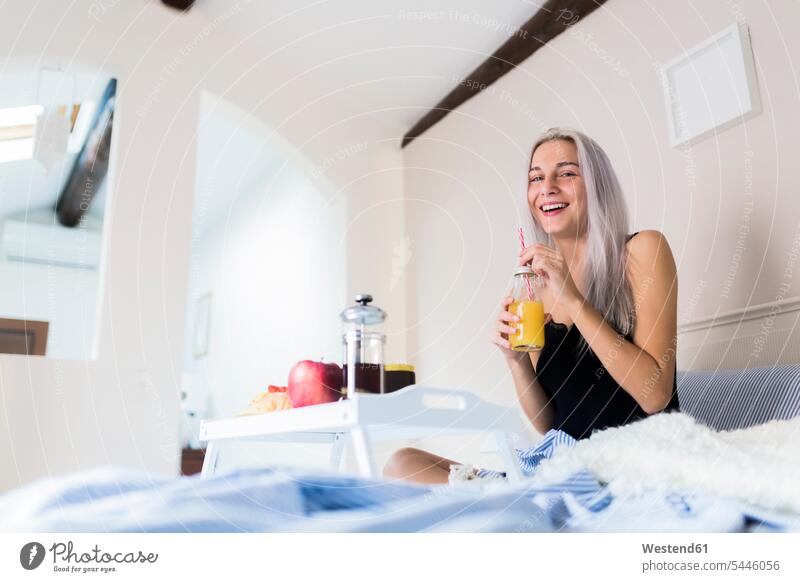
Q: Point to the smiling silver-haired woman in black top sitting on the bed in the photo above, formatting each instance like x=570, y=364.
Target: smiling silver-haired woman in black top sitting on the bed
x=610, y=338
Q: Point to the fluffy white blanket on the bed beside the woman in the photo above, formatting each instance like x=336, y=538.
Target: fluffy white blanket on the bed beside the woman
x=673, y=453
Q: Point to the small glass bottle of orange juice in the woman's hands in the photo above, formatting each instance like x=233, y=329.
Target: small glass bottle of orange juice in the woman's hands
x=529, y=336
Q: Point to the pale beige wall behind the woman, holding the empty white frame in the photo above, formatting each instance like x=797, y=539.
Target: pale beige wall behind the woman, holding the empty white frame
x=466, y=187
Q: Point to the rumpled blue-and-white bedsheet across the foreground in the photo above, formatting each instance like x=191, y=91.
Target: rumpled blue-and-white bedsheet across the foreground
x=285, y=499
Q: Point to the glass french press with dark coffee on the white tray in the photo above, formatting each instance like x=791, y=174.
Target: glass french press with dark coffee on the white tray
x=363, y=350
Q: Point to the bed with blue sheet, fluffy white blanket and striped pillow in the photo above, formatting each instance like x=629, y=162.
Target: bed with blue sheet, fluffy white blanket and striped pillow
x=729, y=461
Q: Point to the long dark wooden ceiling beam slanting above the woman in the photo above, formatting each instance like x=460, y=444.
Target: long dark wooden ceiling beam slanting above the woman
x=553, y=18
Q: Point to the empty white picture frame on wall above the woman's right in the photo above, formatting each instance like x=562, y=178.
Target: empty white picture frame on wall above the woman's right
x=711, y=87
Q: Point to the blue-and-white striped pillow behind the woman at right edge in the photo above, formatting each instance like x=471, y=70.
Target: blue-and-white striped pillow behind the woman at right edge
x=731, y=399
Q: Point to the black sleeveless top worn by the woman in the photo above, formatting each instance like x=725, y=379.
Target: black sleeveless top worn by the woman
x=584, y=395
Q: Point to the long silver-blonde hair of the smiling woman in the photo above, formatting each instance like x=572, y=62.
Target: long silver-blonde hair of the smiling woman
x=606, y=229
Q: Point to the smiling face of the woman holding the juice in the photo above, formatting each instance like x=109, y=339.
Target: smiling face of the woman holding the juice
x=556, y=191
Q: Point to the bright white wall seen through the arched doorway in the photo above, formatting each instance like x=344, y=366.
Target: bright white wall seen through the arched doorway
x=273, y=260
